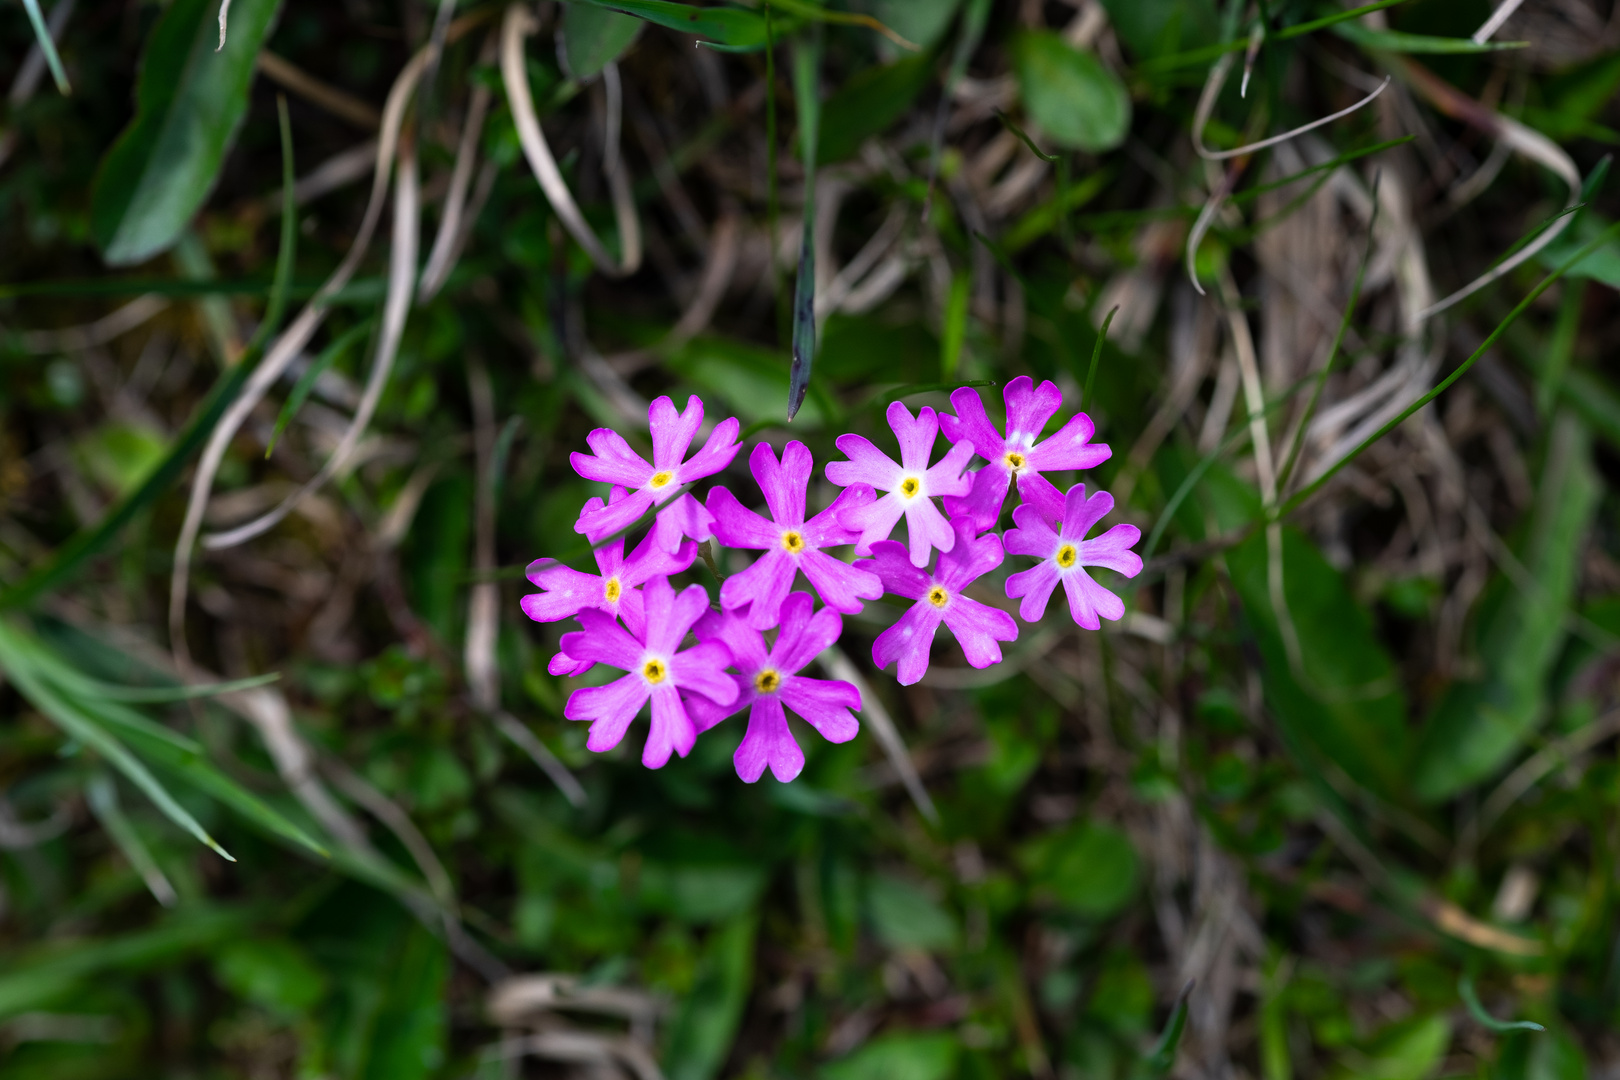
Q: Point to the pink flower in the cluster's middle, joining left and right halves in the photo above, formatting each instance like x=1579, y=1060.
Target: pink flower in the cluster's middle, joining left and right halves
x=791, y=543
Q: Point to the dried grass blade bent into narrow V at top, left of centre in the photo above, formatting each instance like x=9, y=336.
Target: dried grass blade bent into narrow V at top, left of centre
x=516, y=28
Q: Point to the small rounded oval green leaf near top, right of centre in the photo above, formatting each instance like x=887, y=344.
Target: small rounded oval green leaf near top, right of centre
x=1075, y=100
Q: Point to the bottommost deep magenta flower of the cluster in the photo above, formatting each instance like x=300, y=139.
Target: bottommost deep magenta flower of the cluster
x=769, y=681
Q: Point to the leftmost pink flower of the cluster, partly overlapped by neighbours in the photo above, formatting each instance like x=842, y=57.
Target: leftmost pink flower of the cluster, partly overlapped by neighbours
x=613, y=590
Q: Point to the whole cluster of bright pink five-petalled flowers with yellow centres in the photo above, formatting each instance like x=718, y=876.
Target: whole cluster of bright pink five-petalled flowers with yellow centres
x=633, y=618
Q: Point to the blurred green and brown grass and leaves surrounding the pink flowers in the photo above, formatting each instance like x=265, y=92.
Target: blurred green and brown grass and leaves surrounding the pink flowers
x=1336, y=799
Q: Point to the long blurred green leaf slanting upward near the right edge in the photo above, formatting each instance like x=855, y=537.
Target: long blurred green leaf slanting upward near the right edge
x=1481, y=725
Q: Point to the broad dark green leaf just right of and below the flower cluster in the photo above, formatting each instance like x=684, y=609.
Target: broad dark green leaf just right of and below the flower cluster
x=1345, y=708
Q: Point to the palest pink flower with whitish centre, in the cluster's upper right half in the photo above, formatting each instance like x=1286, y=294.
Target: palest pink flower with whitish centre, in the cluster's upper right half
x=910, y=485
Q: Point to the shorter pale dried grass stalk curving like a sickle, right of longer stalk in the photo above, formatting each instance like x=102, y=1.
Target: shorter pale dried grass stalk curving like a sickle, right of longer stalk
x=396, y=308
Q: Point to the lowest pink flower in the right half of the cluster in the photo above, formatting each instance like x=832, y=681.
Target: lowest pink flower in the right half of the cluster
x=978, y=627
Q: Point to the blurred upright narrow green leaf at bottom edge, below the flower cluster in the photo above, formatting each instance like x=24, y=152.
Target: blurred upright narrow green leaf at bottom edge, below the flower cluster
x=707, y=1021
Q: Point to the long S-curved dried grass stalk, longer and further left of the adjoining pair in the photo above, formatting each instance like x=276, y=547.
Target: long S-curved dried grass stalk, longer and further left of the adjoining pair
x=283, y=354
